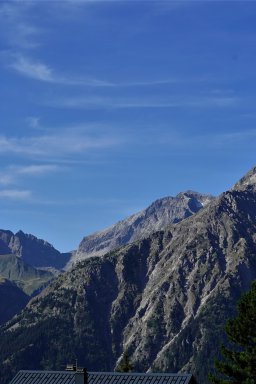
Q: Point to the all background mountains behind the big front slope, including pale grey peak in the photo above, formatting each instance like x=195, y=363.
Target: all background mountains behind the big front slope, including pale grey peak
x=31, y=263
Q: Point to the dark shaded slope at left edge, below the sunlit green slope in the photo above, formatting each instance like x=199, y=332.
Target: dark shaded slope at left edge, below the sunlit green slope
x=12, y=300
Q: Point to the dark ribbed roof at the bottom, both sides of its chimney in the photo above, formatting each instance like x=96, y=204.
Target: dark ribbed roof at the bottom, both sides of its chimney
x=72, y=377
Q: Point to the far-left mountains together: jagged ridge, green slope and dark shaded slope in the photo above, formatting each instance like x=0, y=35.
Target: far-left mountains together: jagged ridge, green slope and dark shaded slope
x=27, y=265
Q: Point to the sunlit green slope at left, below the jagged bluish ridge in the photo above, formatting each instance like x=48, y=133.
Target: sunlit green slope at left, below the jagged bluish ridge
x=29, y=279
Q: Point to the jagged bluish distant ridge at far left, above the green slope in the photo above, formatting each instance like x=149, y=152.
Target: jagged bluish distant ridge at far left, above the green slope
x=34, y=251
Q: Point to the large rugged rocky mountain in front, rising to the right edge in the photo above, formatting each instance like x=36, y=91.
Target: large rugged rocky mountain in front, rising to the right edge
x=163, y=299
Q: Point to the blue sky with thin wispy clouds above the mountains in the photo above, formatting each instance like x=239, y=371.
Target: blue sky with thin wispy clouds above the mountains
x=107, y=106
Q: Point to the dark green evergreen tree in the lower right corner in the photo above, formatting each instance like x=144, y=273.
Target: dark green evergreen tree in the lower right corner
x=238, y=365
